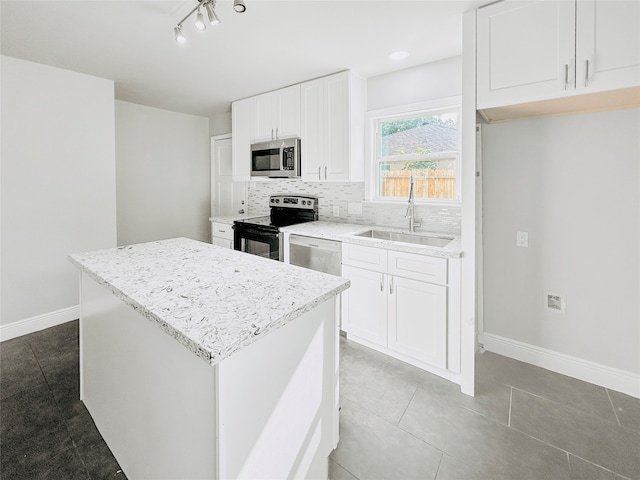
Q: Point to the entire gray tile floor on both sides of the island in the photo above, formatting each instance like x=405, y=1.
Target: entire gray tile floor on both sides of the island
x=397, y=422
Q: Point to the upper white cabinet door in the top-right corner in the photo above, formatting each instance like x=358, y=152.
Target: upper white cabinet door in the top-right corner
x=607, y=44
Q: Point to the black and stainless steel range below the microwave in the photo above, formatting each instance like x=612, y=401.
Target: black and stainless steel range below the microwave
x=261, y=236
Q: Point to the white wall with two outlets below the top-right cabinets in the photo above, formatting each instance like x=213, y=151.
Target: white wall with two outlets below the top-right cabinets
x=573, y=184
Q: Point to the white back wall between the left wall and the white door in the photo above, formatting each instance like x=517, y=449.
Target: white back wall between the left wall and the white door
x=163, y=179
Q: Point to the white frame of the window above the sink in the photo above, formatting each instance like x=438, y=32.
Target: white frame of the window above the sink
x=433, y=107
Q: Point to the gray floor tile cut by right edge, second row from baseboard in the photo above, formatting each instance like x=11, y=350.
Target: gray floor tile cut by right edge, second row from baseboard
x=588, y=437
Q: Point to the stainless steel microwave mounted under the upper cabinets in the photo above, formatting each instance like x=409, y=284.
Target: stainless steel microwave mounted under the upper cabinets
x=276, y=159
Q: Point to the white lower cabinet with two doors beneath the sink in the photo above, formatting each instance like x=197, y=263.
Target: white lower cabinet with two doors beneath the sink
x=401, y=313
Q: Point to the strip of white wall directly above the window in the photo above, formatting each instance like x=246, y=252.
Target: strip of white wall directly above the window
x=426, y=82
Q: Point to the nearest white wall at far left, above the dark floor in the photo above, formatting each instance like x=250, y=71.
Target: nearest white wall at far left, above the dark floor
x=57, y=186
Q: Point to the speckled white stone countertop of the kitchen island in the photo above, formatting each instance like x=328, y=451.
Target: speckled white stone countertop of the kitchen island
x=213, y=300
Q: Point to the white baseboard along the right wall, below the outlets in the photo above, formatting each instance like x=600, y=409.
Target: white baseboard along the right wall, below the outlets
x=596, y=373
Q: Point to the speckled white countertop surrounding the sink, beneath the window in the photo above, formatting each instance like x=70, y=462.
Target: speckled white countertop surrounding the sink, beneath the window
x=345, y=232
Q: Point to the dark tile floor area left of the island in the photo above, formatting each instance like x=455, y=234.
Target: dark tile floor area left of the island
x=45, y=431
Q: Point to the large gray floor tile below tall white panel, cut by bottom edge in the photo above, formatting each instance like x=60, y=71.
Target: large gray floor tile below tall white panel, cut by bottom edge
x=486, y=445
